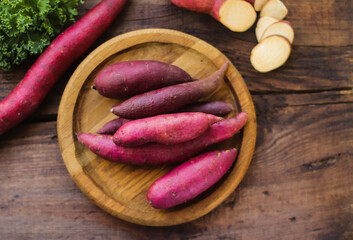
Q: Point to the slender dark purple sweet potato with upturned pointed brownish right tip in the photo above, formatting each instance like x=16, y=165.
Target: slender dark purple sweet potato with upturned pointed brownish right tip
x=169, y=99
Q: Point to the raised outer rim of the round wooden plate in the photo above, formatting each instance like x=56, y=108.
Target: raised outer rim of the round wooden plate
x=75, y=169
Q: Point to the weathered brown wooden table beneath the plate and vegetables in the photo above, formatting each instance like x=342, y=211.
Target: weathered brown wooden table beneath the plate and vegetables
x=300, y=182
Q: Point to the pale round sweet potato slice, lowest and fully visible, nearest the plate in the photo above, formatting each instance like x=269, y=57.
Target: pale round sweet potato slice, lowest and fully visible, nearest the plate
x=270, y=53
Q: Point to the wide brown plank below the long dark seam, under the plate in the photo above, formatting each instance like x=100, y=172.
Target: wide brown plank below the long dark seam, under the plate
x=298, y=185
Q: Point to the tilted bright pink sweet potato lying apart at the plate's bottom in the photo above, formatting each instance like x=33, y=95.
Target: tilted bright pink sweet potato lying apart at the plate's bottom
x=190, y=179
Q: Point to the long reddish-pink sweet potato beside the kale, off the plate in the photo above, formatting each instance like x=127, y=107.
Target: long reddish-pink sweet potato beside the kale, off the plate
x=57, y=57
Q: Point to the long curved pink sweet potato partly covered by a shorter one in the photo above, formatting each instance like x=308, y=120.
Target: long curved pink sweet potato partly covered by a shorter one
x=154, y=153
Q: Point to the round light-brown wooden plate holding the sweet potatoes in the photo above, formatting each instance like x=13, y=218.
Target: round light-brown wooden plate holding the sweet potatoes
x=120, y=189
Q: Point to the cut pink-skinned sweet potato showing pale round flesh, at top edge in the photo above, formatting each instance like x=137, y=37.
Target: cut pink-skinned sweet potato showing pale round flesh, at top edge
x=237, y=15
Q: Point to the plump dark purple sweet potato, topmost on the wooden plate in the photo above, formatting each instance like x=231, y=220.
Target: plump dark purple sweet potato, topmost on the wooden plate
x=126, y=79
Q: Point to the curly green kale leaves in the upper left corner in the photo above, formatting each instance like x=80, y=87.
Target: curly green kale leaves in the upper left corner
x=28, y=26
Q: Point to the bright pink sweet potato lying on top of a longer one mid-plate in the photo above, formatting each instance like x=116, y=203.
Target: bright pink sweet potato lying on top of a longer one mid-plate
x=165, y=129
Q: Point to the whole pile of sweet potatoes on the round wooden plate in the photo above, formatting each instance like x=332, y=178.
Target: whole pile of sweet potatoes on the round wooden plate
x=162, y=122
